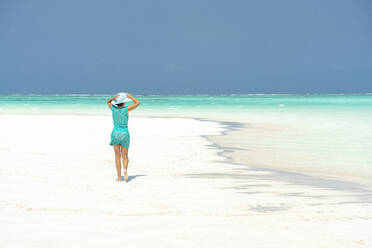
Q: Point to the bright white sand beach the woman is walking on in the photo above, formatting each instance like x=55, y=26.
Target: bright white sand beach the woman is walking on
x=58, y=189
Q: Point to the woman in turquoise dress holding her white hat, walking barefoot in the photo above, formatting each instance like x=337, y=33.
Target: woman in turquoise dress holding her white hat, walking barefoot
x=120, y=138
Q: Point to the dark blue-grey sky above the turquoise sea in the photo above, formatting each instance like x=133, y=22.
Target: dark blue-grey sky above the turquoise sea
x=185, y=47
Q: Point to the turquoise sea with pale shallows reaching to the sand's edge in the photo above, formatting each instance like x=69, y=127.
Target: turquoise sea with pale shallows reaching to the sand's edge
x=324, y=134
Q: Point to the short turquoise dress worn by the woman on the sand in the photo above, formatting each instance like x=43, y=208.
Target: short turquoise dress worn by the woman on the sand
x=120, y=133
